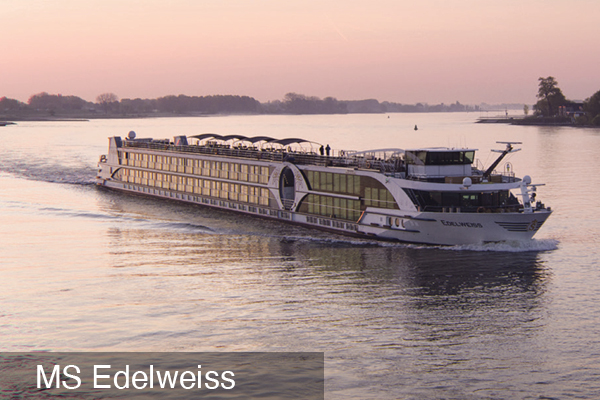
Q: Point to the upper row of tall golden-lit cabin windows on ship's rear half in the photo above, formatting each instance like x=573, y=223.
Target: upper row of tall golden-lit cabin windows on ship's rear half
x=216, y=169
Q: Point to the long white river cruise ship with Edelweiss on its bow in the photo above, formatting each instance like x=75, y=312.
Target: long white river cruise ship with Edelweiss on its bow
x=432, y=196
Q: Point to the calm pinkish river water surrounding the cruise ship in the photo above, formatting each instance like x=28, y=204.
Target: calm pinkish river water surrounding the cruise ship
x=84, y=269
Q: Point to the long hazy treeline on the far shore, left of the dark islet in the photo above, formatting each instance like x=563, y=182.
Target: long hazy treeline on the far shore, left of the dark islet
x=56, y=107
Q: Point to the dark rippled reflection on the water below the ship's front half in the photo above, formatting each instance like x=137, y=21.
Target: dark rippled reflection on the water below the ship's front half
x=415, y=297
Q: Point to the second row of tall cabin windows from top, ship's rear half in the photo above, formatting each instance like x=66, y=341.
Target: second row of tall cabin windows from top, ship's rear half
x=206, y=187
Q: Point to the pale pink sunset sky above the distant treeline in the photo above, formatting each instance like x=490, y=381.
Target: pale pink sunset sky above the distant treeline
x=403, y=51
